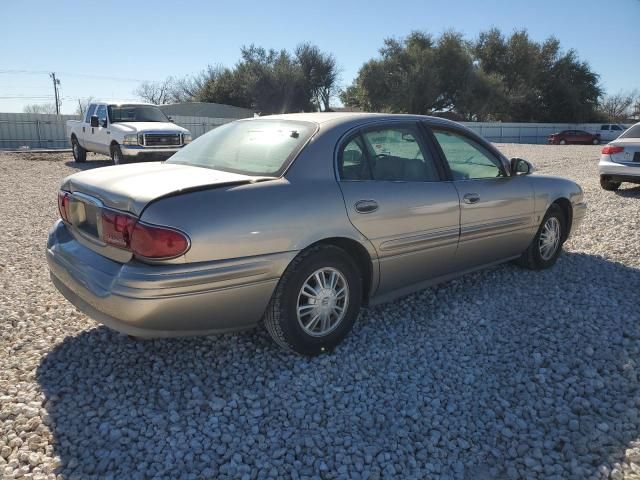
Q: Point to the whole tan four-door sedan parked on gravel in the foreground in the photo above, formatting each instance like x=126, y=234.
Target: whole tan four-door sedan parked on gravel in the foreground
x=299, y=219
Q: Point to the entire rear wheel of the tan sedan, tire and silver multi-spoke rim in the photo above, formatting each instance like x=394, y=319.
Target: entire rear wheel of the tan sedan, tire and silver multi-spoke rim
x=316, y=302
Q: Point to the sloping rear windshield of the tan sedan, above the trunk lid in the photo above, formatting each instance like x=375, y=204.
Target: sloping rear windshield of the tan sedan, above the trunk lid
x=249, y=147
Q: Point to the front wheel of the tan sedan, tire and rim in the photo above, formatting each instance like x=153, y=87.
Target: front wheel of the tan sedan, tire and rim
x=544, y=250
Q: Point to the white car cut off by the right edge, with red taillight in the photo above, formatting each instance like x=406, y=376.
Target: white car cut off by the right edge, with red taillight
x=620, y=160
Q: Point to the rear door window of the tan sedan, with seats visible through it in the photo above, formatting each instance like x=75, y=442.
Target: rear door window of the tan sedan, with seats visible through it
x=397, y=154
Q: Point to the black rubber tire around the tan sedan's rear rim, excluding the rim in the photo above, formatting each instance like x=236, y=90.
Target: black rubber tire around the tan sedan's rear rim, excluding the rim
x=281, y=318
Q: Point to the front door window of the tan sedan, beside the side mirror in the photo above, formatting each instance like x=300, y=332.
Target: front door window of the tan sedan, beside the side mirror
x=467, y=159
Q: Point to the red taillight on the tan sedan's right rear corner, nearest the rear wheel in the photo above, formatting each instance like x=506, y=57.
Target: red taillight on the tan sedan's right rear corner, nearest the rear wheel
x=150, y=241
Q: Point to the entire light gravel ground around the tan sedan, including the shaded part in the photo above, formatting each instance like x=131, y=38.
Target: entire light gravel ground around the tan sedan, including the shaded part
x=506, y=373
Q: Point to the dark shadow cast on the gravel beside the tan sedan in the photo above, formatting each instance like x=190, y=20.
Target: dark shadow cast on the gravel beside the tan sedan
x=503, y=374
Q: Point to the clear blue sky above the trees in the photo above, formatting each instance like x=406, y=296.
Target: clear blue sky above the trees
x=104, y=48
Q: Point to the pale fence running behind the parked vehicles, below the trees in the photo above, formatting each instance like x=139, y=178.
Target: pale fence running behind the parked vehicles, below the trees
x=19, y=130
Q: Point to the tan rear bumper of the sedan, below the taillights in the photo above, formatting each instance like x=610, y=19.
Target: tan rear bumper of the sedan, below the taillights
x=163, y=300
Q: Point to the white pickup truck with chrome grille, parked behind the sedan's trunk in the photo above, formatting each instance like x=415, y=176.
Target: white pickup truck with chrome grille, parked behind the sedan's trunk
x=125, y=130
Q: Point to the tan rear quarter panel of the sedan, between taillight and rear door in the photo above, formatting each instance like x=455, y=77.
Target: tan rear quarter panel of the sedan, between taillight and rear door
x=255, y=219
